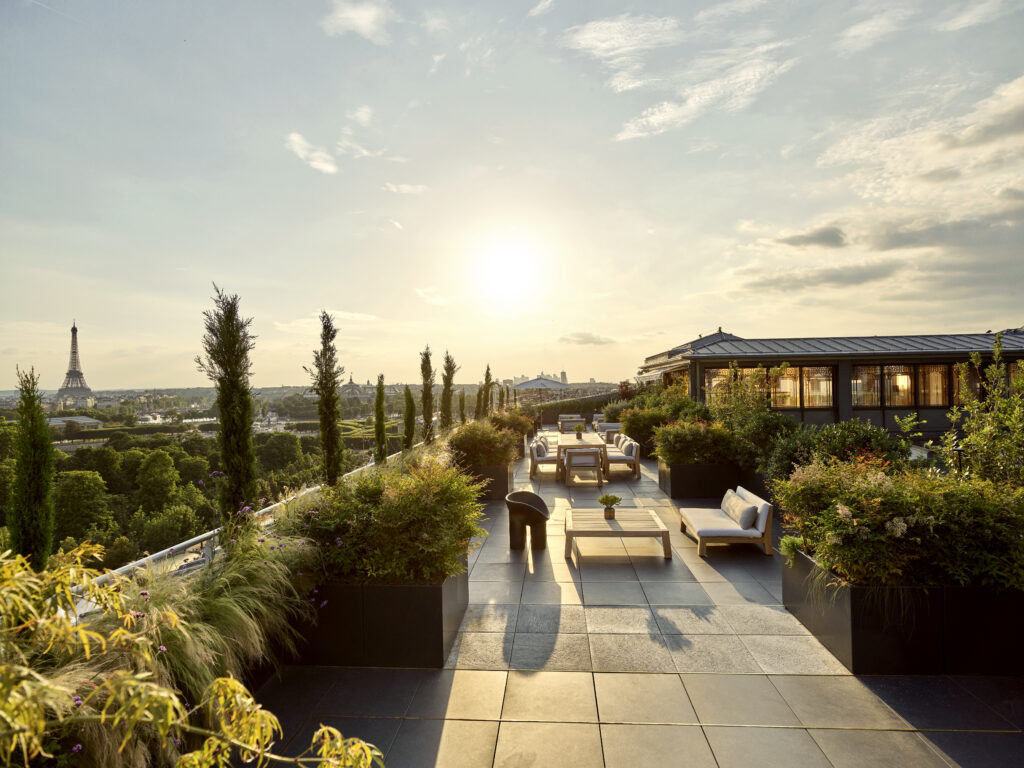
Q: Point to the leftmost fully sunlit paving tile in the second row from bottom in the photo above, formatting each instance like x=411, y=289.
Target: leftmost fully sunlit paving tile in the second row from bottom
x=550, y=697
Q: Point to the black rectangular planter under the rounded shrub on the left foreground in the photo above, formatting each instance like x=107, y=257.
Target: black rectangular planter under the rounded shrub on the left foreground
x=382, y=625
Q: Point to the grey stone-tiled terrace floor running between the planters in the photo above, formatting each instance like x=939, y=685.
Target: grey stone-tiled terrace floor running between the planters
x=619, y=658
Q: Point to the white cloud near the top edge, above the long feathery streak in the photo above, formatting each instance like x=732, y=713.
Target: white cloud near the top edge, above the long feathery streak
x=620, y=44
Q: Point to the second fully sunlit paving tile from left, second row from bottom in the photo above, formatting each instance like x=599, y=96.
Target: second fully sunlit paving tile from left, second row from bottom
x=624, y=698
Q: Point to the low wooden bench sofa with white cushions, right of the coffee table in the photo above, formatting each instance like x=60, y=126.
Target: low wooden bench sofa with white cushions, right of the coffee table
x=743, y=519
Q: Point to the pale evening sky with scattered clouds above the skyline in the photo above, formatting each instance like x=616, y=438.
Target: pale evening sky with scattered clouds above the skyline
x=539, y=186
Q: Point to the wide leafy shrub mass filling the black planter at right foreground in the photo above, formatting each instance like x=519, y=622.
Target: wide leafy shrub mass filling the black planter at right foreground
x=909, y=528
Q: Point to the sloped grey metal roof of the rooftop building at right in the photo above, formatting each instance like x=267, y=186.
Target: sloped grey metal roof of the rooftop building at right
x=840, y=347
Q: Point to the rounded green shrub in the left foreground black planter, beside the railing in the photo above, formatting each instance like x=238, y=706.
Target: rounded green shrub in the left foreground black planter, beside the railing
x=408, y=522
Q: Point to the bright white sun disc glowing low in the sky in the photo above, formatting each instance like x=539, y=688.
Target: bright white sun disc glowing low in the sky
x=506, y=272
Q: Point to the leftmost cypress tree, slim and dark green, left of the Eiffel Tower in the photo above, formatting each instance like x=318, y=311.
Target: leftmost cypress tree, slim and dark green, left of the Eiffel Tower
x=30, y=517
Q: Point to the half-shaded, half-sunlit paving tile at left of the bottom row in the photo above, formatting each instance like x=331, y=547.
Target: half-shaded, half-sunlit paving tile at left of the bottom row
x=441, y=744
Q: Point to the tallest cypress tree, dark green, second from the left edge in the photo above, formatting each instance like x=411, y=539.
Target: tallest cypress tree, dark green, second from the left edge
x=227, y=344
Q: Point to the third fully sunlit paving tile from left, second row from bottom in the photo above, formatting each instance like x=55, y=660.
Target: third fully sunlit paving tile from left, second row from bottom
x=738, y=700
